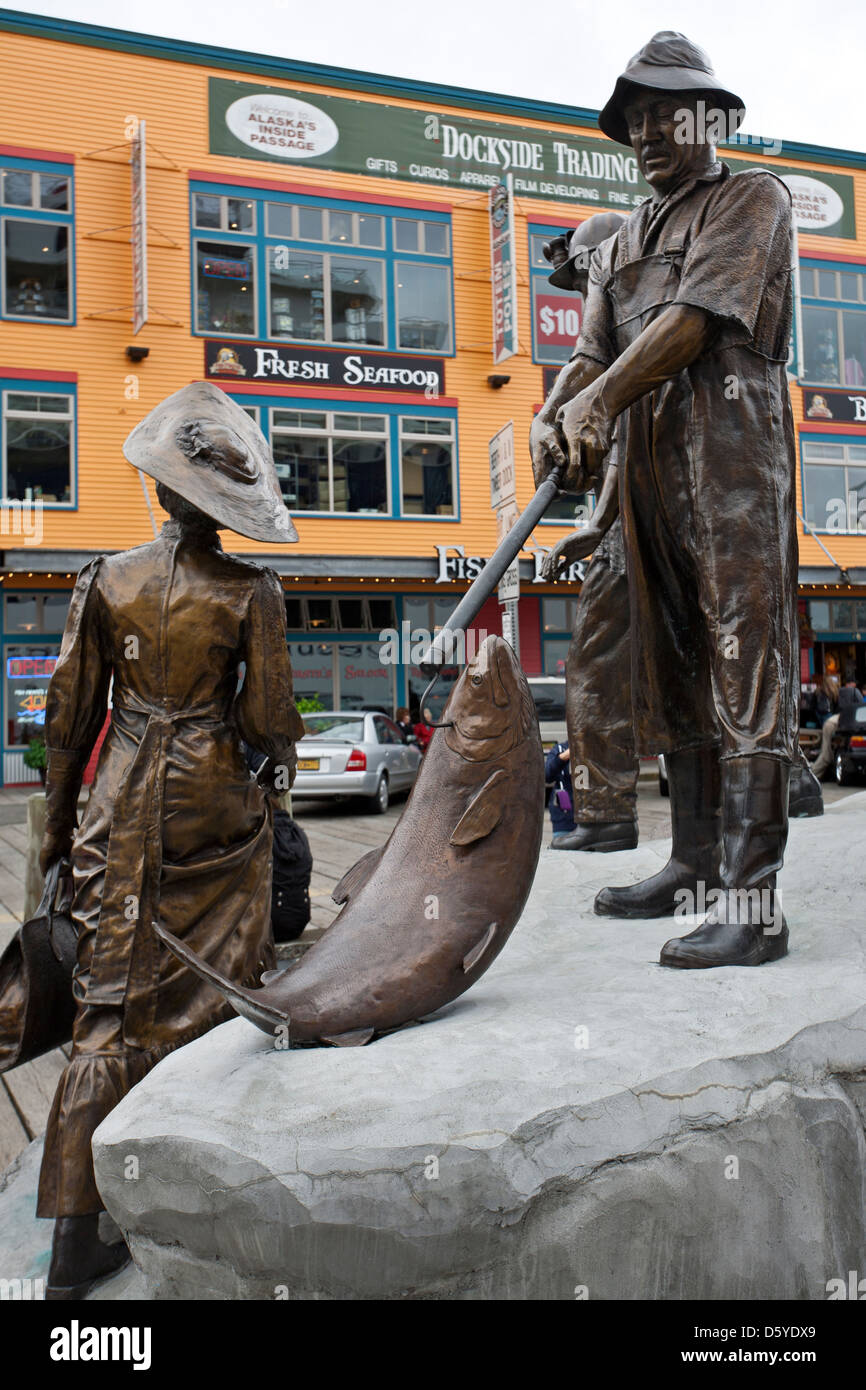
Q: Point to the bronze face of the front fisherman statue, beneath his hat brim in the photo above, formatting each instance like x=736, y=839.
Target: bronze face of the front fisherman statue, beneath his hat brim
x=657, y=133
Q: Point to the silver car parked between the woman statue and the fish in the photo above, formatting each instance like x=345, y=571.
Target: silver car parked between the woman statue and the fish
x=355, y=754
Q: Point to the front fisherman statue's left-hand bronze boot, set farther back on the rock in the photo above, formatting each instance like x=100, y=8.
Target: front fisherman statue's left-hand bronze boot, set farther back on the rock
x=696, y=814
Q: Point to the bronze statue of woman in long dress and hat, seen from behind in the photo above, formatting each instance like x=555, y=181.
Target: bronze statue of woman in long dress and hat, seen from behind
x=176, y=829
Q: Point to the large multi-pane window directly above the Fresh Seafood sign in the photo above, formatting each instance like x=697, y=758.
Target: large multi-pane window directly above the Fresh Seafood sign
x=312, y=273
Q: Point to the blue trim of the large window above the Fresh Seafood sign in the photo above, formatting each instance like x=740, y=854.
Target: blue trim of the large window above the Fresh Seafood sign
x=389, y=255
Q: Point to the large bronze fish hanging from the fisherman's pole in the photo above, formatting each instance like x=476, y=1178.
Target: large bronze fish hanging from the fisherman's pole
x=426, y=915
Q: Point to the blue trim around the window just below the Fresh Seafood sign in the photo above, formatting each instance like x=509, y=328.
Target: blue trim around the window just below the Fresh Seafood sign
x=368, y=408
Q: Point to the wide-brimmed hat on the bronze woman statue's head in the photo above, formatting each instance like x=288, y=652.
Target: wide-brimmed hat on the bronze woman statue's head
x=202, y=445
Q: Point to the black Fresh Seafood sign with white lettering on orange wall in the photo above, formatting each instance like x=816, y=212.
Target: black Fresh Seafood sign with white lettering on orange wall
x=325, y=368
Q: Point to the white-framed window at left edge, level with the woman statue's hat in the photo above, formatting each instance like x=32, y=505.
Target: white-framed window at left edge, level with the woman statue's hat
x=38, y=447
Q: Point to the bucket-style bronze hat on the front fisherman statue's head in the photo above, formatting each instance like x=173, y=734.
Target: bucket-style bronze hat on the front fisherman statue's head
x=669, y=63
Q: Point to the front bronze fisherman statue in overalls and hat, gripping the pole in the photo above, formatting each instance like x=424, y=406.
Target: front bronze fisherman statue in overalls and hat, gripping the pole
x=685, y=344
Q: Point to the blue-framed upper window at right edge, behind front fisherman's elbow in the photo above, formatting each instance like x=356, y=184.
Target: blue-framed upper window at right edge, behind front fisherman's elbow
x=835, y=338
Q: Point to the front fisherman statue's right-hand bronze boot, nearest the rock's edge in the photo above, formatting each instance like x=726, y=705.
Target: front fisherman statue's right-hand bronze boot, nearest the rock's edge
x=747, y=925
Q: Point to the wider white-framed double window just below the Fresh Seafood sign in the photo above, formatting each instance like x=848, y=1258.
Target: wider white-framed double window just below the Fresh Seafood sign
x=330, y=461
